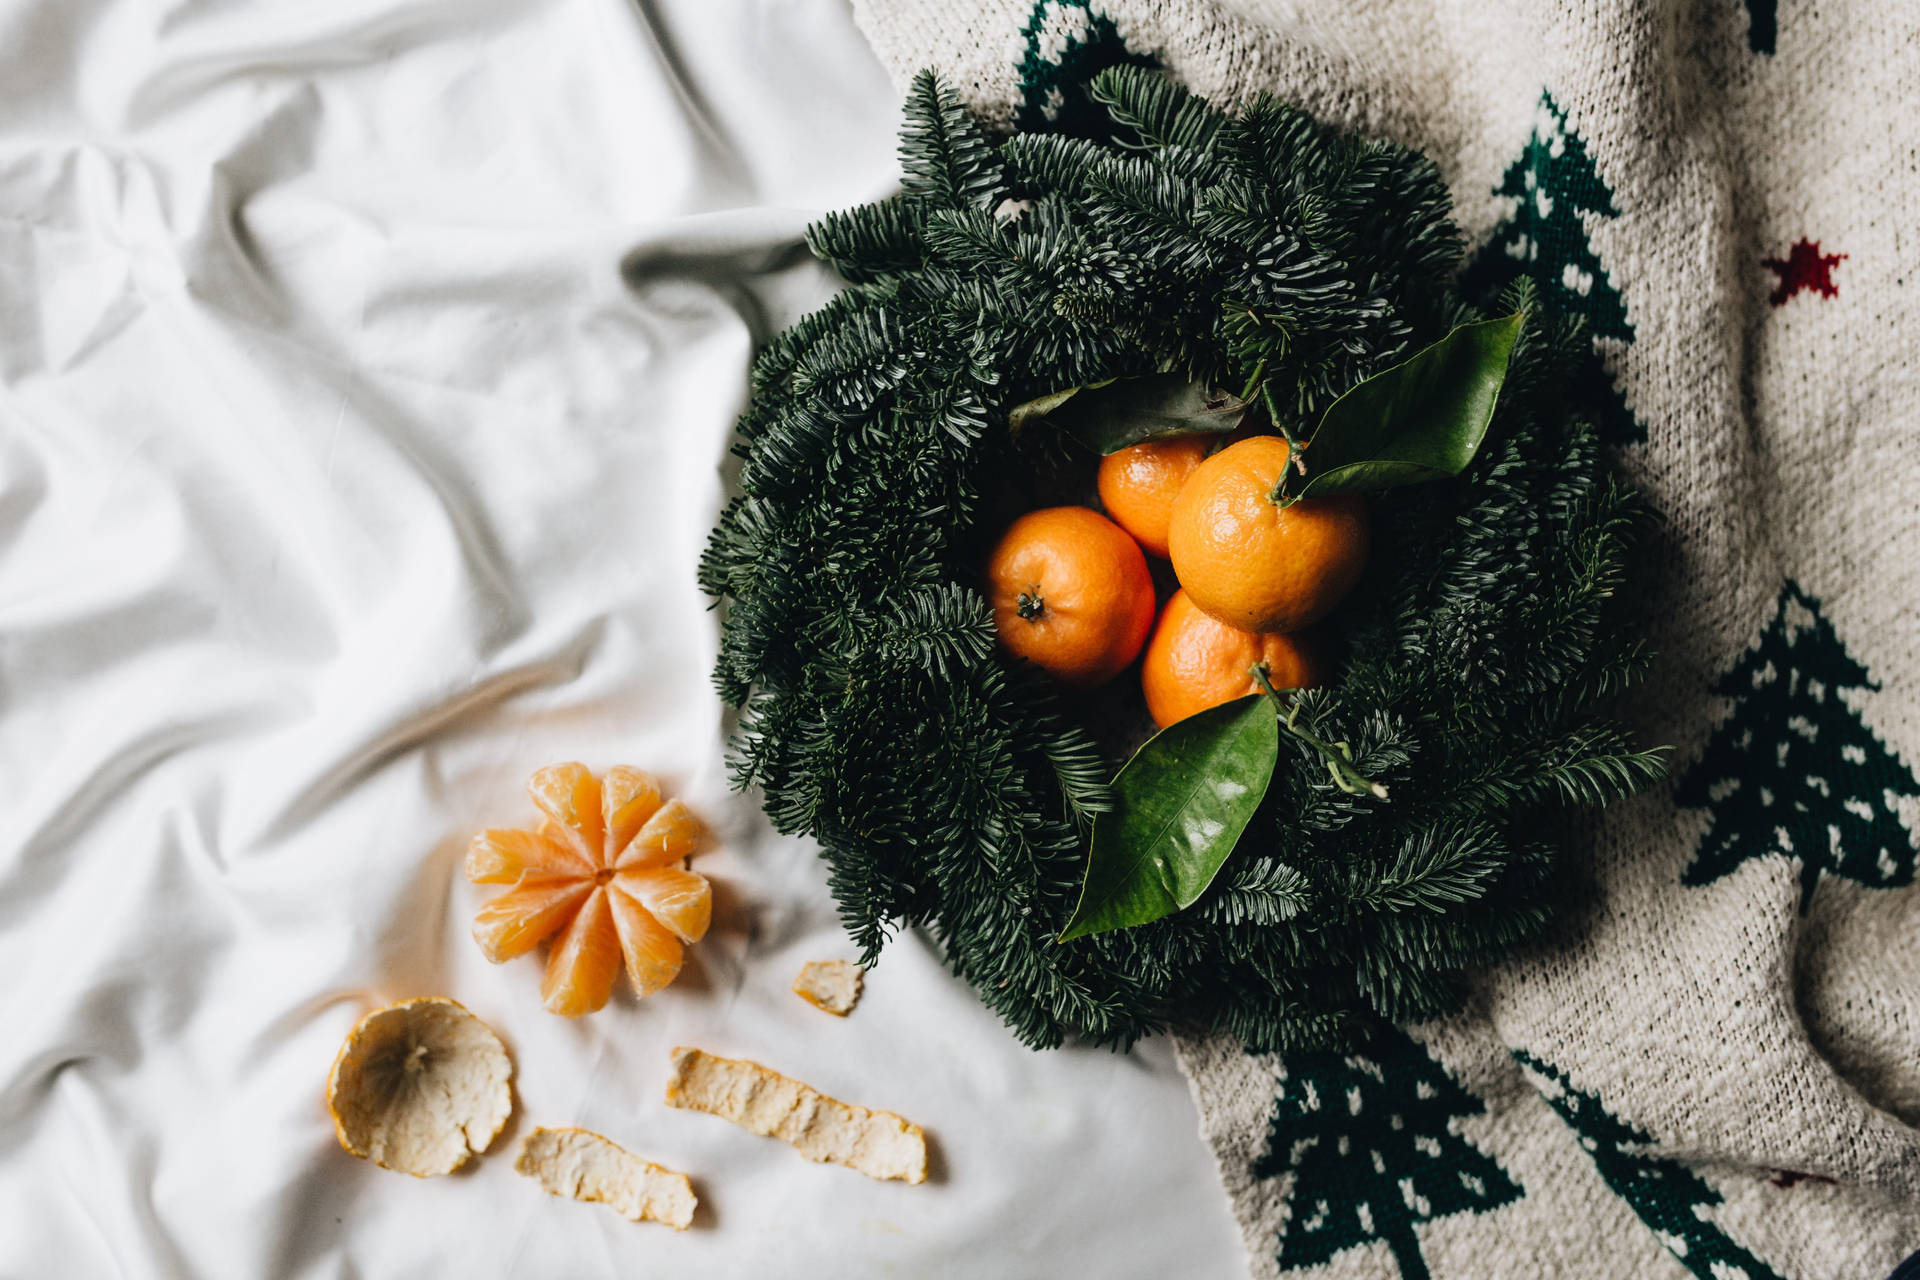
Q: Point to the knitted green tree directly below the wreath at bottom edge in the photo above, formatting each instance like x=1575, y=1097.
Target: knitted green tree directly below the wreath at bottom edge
x=1370, y=1152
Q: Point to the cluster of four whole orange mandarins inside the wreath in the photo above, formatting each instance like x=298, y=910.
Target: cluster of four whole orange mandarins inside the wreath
x=1070, y=588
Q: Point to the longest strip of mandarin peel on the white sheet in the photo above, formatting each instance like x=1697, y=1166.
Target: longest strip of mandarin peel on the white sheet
x=823, y=1129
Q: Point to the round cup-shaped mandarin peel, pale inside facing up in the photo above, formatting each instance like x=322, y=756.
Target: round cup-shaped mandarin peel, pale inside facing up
x=420, y=1087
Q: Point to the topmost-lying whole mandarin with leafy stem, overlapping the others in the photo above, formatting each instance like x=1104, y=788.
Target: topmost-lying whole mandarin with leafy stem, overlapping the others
x=1253, y=563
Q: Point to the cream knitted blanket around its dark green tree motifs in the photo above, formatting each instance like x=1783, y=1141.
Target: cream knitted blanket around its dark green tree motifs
x=1769, y=1051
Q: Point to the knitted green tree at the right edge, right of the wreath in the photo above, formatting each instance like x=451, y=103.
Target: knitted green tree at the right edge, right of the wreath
x=1794, y=770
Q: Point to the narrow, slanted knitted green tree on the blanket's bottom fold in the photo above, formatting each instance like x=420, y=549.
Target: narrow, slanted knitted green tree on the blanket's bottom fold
x=1666, y=1195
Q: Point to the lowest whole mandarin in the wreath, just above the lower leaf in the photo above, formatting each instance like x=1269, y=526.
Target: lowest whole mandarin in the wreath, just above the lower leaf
x=1197, y=661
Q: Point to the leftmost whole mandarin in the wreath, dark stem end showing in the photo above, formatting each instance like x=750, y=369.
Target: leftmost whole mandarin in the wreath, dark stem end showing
x=1070, y=594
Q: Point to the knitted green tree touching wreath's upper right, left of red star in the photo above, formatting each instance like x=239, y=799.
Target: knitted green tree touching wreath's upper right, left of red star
x=1554, y=183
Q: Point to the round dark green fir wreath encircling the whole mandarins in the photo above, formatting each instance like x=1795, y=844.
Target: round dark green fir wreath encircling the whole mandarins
x=951, y=788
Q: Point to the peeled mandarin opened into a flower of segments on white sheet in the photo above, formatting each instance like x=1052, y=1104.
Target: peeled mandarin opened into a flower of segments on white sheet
x=604, y=878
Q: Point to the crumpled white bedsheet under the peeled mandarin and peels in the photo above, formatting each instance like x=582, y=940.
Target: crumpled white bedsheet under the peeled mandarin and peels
x=366, y=381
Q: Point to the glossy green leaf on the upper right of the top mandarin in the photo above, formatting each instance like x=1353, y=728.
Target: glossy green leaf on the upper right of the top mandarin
x=1422, y=419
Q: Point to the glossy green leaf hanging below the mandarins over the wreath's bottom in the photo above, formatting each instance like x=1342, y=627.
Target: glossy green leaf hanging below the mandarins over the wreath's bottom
x=1180, y=807
